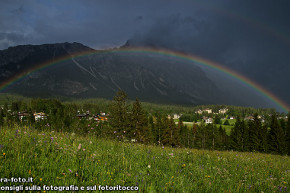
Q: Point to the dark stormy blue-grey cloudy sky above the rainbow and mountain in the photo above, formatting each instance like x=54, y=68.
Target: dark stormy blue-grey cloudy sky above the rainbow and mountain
x=250, y=37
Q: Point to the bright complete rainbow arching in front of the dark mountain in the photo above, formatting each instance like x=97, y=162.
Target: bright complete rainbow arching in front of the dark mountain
x=189, y=57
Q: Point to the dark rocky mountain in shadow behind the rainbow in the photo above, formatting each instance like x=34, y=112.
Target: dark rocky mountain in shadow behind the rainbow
x=148, y=76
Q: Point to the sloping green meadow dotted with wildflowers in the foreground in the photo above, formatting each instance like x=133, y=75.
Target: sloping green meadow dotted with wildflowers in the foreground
x=63, y=159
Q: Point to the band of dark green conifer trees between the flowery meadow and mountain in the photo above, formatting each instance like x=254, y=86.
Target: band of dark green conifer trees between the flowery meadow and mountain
x=128, y=121
